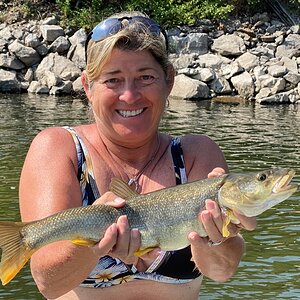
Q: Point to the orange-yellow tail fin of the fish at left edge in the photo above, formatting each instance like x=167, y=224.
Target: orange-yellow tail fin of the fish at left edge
x=15, y=253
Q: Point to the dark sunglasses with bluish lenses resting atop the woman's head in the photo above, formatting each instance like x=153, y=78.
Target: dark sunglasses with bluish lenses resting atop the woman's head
x=113, y=25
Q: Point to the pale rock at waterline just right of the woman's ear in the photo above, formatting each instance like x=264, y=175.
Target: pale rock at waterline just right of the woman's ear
x=188, y=88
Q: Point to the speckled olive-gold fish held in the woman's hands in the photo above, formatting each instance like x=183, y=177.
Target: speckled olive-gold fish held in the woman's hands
x=164, y=217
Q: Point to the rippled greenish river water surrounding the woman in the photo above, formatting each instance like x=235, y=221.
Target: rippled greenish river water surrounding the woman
x=253, y=137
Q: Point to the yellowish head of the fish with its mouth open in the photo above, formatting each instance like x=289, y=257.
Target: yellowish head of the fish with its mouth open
x=252, y=194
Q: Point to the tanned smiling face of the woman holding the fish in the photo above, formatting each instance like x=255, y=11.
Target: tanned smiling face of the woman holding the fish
x=129, y=96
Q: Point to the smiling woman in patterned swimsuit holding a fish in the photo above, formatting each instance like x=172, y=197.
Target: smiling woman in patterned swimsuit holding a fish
x=127, y=81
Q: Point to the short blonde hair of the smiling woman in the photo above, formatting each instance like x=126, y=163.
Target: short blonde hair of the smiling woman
x=134, y=36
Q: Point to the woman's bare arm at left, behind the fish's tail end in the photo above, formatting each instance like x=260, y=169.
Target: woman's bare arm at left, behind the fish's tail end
x=49, y=184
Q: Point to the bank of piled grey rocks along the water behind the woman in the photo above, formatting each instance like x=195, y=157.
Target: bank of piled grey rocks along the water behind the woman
x=257, y=59
